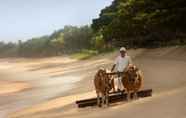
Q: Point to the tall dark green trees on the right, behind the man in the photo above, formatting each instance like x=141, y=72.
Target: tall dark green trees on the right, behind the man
x=143, y=23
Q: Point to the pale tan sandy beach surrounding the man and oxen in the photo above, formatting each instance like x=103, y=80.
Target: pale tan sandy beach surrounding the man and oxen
x=49, y=87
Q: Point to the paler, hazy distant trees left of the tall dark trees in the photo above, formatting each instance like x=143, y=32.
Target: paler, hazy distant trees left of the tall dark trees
x=68, y=40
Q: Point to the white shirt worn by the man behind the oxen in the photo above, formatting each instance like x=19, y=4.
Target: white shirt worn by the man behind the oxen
x=122, y=63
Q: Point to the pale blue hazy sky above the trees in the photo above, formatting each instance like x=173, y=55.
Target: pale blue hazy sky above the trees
x=23, y=19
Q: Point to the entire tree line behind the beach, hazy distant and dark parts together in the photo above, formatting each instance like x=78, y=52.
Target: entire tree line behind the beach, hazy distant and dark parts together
x=129, y=23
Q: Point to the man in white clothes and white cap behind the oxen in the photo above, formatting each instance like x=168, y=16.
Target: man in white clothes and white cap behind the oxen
x=120, y=65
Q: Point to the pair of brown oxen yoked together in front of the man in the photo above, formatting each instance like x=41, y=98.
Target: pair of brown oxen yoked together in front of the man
x=132, y=80
